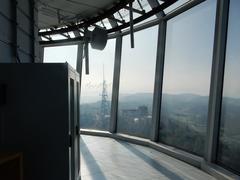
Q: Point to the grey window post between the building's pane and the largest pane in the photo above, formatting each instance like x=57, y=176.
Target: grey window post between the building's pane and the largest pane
x=157, y=96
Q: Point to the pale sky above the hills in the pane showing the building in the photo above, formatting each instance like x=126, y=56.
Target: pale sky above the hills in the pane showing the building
x=138, y=64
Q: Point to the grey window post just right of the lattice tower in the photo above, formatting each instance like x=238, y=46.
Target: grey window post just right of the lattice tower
x=115, y=88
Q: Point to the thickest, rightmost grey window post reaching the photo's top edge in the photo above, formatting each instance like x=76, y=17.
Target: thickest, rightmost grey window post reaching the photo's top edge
x=217, y=75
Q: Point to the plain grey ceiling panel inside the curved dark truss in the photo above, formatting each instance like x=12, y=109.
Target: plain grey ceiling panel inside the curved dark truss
x=61, y=12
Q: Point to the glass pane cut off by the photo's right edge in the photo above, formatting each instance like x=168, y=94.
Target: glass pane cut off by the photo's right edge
x=229, y=140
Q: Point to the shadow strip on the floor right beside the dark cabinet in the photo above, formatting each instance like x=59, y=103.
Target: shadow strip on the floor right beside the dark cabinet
x=91, y=163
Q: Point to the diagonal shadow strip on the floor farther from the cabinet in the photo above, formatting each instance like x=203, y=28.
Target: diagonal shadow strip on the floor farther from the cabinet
x=153, y=163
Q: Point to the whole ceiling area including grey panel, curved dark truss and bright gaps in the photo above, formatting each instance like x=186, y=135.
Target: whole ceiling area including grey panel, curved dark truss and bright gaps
x=73, y=19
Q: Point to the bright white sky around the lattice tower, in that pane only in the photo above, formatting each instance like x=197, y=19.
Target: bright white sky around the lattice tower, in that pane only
x=92, y=83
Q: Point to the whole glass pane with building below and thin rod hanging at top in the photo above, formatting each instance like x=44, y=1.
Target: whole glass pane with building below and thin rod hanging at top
x=137, y=83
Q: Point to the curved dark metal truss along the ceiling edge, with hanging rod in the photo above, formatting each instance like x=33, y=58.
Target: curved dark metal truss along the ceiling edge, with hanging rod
x=157, y=9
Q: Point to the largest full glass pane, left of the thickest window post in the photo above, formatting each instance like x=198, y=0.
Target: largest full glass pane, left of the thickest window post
x=186, y=82
